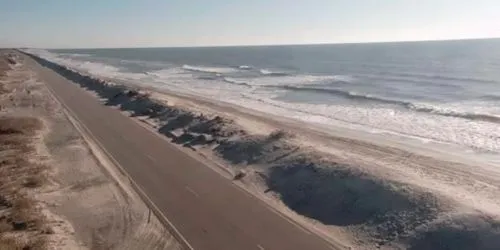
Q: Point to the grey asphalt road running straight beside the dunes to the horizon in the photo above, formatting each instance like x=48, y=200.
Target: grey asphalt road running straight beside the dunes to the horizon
x=207, y=209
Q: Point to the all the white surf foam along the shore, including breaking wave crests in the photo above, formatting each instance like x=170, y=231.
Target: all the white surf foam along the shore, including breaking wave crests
x=473, y=134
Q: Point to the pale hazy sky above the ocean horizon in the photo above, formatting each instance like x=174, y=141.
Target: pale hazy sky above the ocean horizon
x=150, y=23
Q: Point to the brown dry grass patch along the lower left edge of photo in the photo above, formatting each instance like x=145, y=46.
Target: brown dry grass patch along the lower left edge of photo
x=21, y=224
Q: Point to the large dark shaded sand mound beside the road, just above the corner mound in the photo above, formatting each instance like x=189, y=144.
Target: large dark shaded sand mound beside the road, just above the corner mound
x=339, y=195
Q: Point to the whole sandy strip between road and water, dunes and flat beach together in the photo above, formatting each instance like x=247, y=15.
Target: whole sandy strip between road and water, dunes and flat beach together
x=358, y=192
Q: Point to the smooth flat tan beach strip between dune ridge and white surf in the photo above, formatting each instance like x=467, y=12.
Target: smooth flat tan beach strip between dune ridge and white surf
x=431, y=148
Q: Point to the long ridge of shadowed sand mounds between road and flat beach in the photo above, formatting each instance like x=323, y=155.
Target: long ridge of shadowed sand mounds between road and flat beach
x=310, y=183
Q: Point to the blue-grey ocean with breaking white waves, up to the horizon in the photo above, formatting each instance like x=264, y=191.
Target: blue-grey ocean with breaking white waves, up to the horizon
x=443, y=91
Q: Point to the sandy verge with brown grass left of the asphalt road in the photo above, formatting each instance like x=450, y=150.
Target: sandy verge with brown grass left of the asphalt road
x=74, y=203
